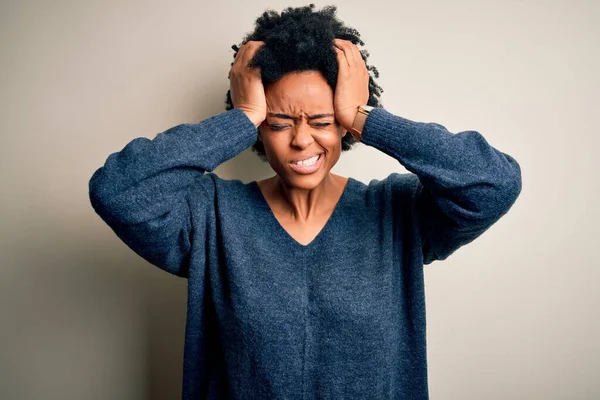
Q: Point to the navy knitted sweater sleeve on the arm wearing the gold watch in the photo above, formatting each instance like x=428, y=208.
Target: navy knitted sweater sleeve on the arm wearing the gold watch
x=464, y=184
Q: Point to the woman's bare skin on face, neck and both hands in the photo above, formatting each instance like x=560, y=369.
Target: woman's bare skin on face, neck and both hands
x=299, y=116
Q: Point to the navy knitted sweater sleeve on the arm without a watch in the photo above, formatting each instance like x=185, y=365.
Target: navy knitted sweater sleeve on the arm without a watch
x=144, y=191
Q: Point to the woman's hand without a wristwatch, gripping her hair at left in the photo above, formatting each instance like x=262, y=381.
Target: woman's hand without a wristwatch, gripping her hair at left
x=245, y=84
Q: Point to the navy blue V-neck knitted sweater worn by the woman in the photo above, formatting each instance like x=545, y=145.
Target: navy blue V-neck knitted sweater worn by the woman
x=269, y=318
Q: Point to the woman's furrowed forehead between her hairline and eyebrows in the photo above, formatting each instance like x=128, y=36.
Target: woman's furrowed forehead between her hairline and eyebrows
x=298, y=92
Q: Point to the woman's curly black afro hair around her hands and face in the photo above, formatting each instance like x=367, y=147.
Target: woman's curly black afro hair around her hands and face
x=300, y=39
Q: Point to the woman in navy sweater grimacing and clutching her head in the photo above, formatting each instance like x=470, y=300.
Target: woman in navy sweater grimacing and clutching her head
x=307, y=284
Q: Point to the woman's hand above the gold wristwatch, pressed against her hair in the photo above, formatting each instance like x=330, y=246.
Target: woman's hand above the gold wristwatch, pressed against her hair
x=352, y=89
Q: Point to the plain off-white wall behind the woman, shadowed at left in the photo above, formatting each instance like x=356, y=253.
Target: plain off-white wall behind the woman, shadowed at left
x=513, y=315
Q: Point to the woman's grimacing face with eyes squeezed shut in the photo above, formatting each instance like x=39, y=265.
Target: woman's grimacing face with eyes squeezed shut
x=300, y=123
